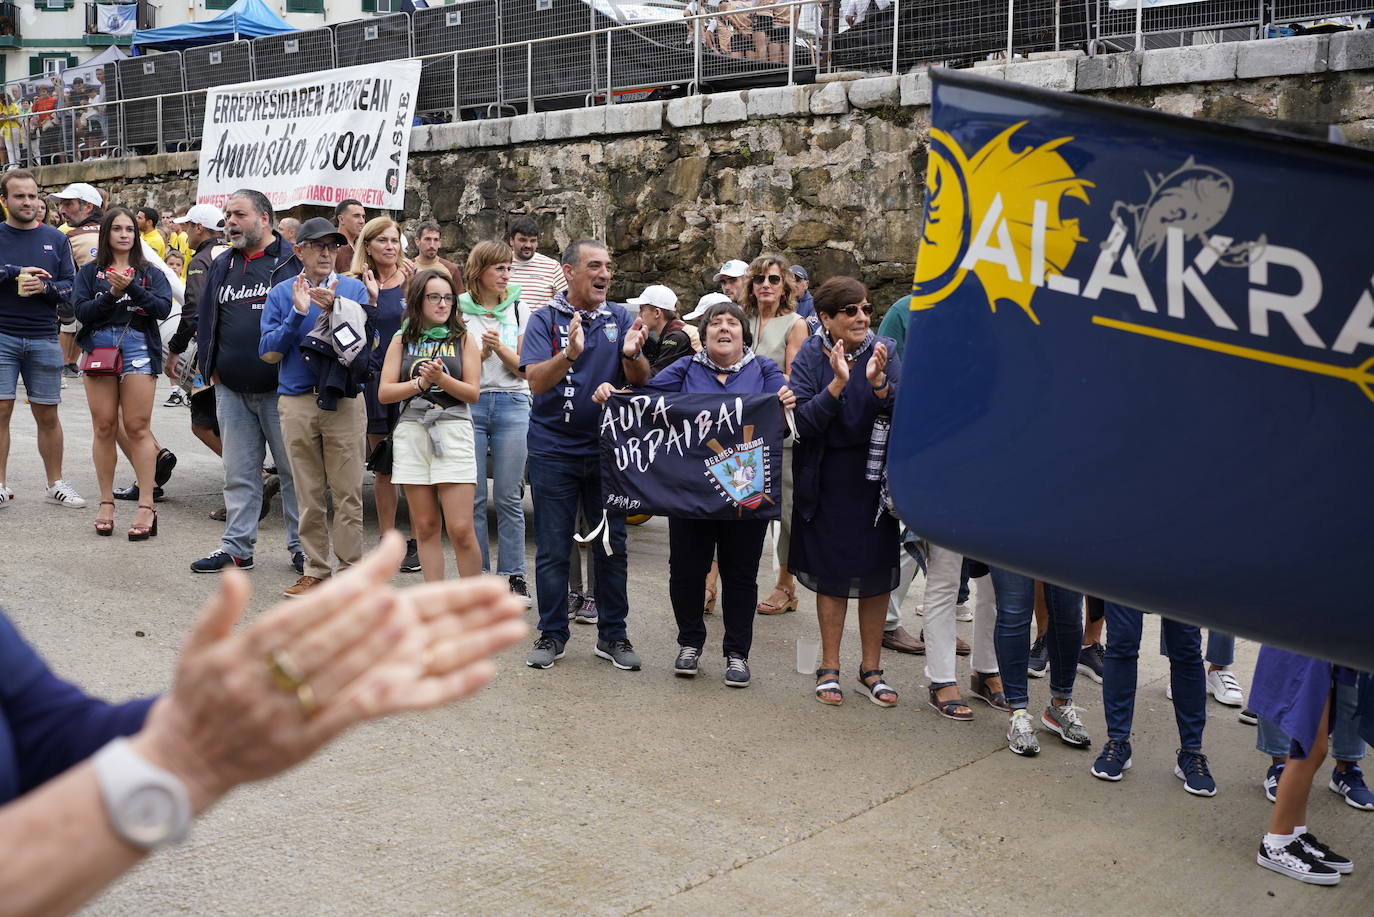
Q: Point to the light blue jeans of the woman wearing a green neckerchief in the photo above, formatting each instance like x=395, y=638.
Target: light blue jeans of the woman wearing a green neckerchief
x=501, y=423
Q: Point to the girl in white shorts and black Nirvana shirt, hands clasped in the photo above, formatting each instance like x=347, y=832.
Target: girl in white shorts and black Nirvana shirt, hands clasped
x=433, y=368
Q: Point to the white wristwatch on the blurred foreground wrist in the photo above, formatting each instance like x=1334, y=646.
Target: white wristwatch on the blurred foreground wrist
x=148, y=806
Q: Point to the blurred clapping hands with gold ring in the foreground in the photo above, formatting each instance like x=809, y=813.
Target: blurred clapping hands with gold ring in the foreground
x=251, y=703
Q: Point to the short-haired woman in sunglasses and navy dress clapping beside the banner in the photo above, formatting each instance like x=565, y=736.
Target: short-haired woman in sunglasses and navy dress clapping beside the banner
x=844, y=542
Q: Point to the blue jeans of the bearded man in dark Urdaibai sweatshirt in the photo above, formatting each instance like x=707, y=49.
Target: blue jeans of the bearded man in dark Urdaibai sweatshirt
x=249, y=426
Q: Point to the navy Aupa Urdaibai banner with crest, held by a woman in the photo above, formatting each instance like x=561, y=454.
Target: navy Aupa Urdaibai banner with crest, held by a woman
x=693, y=456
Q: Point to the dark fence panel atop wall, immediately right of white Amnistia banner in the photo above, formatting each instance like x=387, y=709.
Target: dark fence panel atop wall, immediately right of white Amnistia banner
x=465, y=80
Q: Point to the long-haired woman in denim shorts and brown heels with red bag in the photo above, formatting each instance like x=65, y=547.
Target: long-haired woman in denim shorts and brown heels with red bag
x=120, y=302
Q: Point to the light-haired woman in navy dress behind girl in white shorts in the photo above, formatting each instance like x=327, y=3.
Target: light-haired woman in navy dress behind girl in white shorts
x=380, y=266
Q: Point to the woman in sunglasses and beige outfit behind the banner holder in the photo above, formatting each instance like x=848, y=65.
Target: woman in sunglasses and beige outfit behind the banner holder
x=770, y=302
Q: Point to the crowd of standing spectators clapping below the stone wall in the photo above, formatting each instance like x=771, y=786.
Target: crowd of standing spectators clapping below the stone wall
x=313, y=353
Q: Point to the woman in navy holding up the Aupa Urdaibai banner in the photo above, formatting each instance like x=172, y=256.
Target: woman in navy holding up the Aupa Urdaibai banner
x=726, y=366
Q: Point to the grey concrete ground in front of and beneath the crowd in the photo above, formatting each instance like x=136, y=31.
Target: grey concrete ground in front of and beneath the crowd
x=586, y=790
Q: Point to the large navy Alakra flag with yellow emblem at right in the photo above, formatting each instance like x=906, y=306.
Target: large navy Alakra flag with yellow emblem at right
x=1141, y=362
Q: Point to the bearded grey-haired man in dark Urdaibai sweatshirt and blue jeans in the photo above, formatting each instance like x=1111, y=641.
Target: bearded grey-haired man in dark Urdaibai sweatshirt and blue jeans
x=229, y=328
